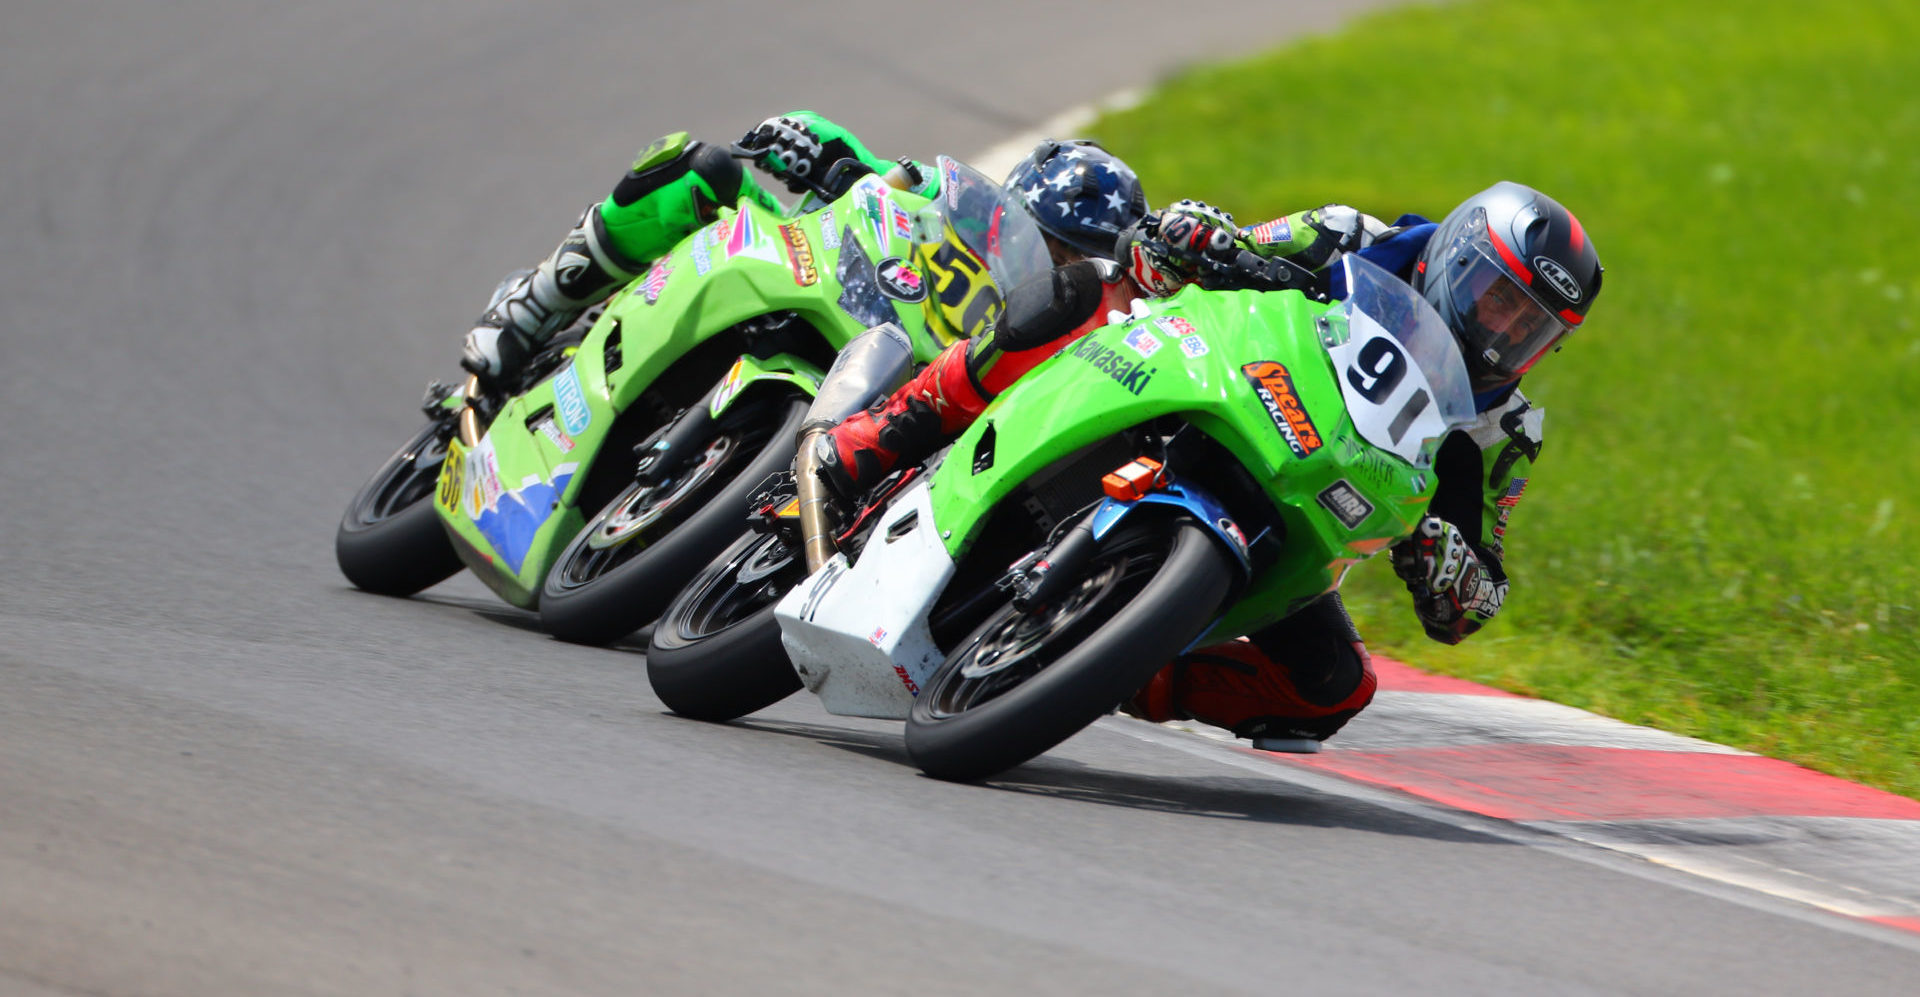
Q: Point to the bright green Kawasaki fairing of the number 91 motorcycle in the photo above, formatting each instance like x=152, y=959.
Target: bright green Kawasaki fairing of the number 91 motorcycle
x=1076, y=401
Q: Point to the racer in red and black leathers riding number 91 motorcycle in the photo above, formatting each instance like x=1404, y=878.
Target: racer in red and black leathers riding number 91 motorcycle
x=1510, y=270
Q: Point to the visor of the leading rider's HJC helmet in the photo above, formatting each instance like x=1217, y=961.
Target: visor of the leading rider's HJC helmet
x=1504, y=326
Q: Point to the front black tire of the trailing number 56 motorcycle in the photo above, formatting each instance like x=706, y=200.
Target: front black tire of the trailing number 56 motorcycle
x=602, y=595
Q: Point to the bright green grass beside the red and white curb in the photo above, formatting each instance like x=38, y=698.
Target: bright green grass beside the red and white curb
x=1721, y=533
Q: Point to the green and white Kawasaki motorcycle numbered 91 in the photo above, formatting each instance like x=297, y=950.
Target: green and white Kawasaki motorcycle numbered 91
x=1191, y=474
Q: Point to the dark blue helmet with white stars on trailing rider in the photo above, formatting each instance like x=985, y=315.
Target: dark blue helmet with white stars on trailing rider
x=1080, y=193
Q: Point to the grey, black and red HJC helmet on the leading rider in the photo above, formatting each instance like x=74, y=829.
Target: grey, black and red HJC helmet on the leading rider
x=1512, y=274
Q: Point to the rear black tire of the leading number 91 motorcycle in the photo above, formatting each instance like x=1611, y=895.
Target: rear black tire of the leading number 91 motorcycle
x=717, y=652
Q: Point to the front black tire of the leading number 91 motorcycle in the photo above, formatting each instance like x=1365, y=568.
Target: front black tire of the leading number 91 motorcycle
x=1140, y=602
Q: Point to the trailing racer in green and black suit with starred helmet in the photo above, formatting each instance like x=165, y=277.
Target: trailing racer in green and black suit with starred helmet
x=1082, y=197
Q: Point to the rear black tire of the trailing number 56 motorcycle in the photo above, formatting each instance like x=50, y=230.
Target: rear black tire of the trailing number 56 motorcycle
x=391, y=539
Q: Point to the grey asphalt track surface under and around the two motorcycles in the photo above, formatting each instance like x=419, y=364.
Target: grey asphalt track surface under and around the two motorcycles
x=241, y=237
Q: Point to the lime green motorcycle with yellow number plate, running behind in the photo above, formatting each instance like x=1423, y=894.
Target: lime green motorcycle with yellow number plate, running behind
x=619, y=464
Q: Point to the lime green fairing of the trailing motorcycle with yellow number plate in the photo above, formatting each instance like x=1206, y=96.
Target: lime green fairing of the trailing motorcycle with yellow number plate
x=690, y=308
